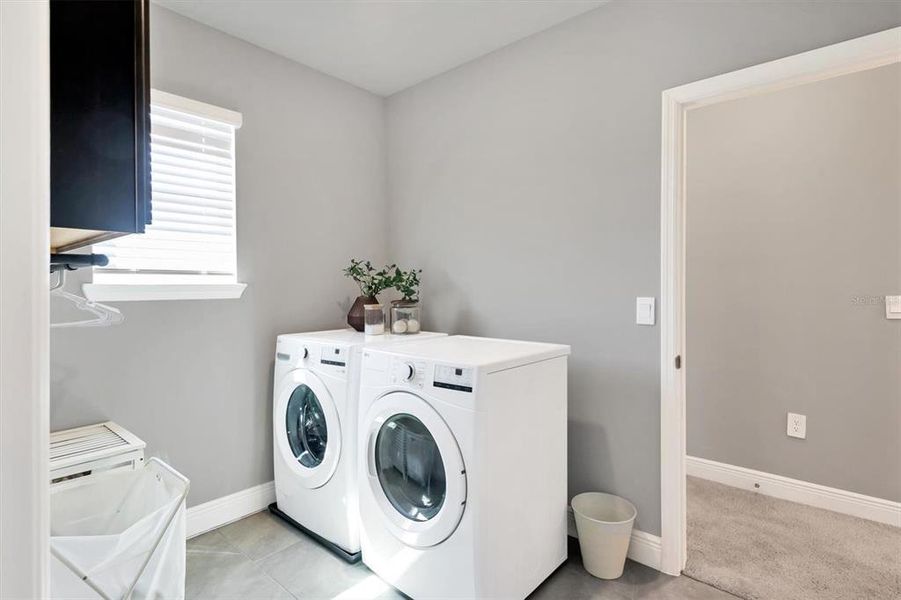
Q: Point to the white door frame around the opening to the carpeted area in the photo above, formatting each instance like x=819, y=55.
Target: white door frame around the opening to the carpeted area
x=863, y=53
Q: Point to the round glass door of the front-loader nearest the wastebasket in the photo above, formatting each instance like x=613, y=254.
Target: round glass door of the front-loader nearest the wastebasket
x=415, y=469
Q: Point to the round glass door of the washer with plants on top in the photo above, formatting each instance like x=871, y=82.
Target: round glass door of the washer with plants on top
x=307, y=430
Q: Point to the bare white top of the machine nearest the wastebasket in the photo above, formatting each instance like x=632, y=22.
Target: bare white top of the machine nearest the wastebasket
x=493, y=354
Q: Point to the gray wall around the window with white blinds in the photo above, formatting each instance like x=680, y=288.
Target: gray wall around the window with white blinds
x=193, y=378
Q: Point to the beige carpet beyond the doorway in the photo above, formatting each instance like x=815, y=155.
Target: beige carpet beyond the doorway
x=761, y=548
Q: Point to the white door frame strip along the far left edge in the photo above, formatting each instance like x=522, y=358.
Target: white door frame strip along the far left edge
x=24, y=298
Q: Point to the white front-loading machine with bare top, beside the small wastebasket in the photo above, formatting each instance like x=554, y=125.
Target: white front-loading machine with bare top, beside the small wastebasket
x=463, y=466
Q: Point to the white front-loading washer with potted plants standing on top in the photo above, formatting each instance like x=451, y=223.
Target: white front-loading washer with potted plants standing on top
x=316, y=394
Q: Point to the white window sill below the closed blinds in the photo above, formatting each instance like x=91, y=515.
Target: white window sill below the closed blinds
x=107, y=292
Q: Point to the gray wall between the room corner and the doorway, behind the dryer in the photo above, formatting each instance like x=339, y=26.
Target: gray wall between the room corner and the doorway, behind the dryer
x=526, y=184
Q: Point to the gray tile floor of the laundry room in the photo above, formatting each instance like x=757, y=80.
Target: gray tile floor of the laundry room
x=261, y=557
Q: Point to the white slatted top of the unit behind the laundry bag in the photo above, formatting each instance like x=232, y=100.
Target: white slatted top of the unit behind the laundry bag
x=99, y=447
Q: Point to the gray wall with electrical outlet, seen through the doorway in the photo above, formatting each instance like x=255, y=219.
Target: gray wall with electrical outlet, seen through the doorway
x=794, y=237
